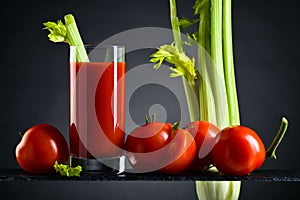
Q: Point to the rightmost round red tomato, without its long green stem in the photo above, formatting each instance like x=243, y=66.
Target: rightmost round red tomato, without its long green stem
x=238, y=151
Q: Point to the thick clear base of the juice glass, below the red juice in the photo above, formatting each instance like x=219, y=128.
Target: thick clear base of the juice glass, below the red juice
x=113, y=164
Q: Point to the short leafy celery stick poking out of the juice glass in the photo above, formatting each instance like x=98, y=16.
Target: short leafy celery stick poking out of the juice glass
x=67, y=33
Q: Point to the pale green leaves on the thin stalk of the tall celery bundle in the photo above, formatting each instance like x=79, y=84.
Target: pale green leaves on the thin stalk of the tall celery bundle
x=184, y=66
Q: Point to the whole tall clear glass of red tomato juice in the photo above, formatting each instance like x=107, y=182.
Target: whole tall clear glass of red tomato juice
x=97, y=107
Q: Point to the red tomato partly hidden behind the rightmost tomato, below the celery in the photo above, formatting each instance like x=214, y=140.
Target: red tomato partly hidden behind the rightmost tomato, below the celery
x=204, y=134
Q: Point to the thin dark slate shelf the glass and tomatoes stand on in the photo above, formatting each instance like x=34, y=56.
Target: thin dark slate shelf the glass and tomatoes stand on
x=259, y=175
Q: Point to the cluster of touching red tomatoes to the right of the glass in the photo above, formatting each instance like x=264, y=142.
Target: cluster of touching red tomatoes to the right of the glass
x=156, y=146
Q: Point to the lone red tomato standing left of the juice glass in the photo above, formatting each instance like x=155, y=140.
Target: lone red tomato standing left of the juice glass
x=39, y=148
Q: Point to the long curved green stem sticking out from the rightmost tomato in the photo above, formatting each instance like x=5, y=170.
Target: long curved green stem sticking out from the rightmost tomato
x=272, y=149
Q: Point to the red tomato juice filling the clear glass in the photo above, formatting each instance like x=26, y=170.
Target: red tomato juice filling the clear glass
x=97, y=109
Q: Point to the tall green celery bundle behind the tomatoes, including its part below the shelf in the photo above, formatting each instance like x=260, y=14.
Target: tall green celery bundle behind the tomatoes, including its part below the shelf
x=212, y=80
